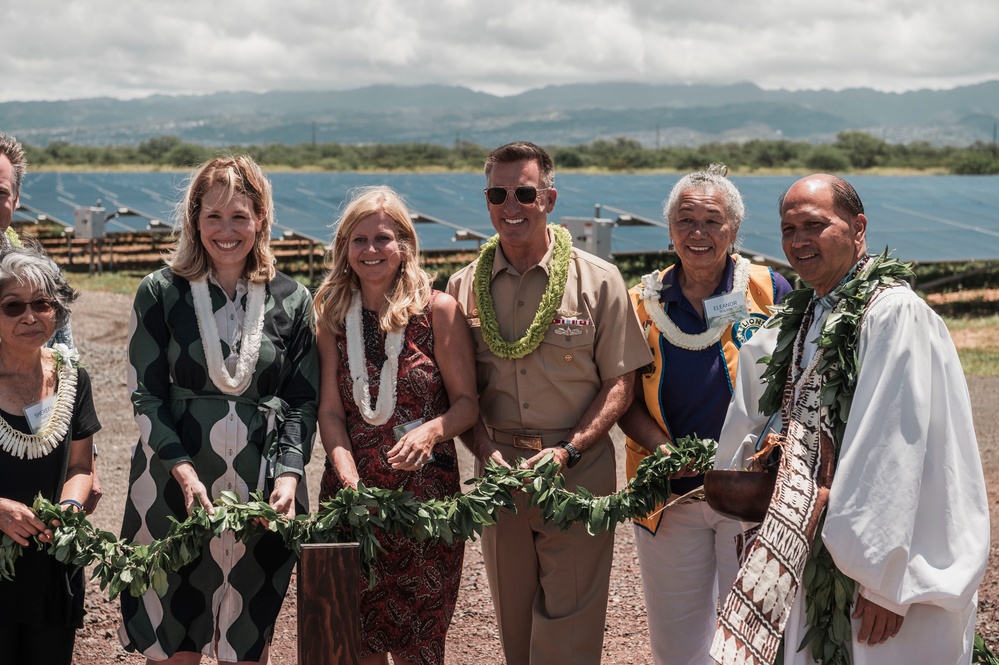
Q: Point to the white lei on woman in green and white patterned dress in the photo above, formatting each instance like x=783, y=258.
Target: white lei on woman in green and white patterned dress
x=246, y=357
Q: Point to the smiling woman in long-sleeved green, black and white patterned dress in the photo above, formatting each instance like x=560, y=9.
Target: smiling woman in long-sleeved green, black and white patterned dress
x=224, y=380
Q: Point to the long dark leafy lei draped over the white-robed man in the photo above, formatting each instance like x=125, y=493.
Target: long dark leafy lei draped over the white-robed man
x=828, y=592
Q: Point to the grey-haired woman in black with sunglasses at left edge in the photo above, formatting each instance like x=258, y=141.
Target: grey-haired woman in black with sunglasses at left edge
x=48, y=453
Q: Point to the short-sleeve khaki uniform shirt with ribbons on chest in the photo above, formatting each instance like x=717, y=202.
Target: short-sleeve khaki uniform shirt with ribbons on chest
x=595, y=336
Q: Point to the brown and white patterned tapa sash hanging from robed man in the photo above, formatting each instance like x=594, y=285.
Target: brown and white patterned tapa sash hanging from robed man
x=755, y=614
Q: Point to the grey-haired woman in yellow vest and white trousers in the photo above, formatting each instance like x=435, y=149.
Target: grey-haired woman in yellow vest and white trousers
x=696, y=314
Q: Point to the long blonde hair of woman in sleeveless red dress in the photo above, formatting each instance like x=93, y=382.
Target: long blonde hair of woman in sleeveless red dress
x=410, y=292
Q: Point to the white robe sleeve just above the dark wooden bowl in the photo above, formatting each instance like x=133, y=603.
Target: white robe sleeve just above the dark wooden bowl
x=744, y=422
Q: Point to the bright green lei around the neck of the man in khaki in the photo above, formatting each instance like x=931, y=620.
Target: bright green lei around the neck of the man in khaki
x=550, y=300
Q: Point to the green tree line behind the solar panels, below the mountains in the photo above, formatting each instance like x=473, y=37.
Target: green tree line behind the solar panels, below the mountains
x=851, y=151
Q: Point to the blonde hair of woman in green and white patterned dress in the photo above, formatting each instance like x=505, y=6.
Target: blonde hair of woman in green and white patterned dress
x=238, y=175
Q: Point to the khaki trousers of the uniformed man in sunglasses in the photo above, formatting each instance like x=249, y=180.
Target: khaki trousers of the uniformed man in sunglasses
x=550, y=587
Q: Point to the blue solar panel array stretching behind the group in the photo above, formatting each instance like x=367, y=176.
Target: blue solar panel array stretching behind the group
x=922, y=218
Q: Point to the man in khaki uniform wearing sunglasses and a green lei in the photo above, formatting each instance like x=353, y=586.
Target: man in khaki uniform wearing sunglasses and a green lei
x=557, y=344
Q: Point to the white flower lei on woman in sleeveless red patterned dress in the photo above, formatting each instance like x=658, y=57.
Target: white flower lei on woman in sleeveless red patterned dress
x=357, y=363
